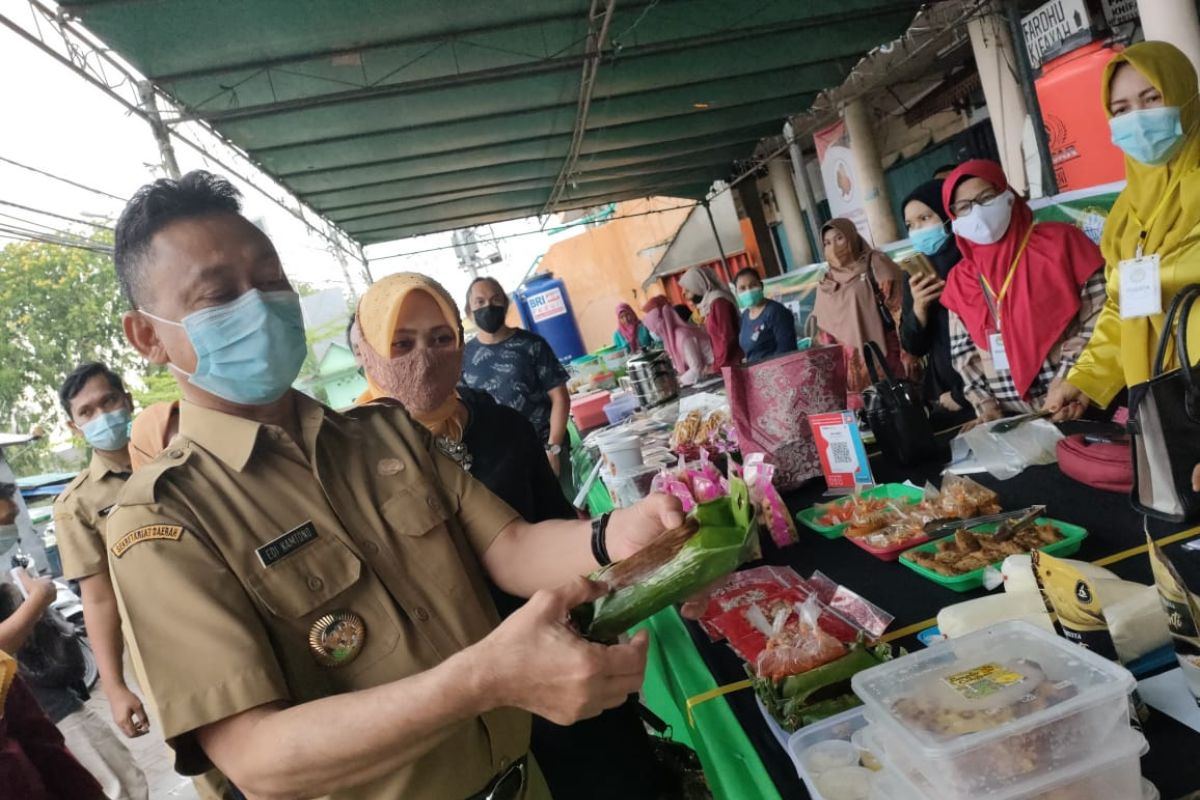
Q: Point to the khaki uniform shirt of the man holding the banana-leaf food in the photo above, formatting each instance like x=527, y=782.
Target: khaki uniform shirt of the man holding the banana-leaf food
x=219, y=609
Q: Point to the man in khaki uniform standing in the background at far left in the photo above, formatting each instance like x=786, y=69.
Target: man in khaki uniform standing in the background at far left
x=99, y=410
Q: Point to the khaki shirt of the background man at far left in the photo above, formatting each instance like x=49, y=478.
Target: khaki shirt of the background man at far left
x=81, y=514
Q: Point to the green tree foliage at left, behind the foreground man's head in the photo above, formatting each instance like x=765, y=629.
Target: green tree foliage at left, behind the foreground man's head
x=59, y=306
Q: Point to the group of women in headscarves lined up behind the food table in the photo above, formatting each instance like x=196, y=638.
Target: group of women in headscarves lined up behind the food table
x=1000, y=315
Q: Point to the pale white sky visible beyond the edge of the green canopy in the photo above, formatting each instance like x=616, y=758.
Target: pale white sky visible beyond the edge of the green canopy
x=52, y=119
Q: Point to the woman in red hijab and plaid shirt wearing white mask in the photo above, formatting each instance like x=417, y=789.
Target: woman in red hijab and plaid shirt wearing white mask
x=1024, y=299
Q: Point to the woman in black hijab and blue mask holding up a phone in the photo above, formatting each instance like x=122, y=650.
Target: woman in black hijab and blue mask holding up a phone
x=925, y=322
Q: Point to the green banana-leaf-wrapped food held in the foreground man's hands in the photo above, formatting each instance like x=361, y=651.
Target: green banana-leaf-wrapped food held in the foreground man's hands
x=715, y=540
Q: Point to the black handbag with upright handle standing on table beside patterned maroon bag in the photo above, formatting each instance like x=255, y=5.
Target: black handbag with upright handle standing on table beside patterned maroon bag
x=896, y=413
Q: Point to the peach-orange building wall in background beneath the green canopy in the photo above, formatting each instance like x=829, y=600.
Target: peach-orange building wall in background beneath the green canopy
x=607, y=266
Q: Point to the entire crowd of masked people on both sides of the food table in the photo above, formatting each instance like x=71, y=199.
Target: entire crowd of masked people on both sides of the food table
x=373, y=601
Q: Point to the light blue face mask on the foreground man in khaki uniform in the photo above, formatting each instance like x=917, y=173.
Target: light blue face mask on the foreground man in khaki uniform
x=248, y=352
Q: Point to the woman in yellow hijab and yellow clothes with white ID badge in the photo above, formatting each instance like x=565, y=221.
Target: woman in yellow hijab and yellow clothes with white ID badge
x=1150, y=97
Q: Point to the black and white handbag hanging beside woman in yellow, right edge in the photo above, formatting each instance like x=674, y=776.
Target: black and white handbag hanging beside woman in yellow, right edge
x=1165, y=424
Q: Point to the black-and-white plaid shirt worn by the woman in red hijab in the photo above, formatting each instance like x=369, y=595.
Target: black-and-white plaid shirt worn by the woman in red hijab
x=986, y=384
